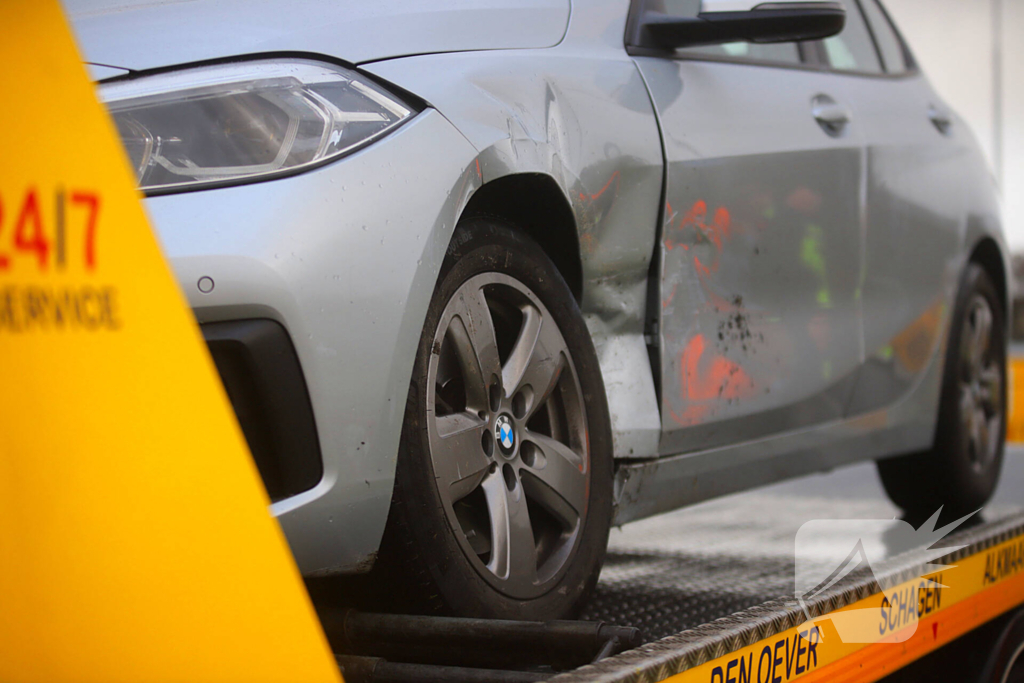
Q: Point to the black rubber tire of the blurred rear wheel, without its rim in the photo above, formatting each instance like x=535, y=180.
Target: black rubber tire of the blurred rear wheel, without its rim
x=954, y=475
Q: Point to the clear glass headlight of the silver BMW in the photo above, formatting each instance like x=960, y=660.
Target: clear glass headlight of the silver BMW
x=230, y=123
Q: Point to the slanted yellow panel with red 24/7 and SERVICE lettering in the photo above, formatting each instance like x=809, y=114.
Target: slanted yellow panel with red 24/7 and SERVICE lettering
x=136, y=543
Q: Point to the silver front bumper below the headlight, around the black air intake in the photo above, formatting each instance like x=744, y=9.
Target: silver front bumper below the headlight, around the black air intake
x=346, y=259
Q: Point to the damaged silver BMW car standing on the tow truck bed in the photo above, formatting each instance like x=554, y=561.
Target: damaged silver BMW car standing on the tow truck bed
x=484, y=278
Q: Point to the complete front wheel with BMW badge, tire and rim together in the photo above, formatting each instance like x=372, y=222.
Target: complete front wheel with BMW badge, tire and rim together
x=503, y=492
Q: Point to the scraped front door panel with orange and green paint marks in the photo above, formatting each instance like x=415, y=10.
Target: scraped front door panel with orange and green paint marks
x=760, y=257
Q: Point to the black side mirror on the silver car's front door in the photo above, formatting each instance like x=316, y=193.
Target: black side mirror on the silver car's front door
x=720, y=22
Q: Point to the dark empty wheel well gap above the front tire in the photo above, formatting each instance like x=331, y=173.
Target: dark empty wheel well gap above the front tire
x=546, y=218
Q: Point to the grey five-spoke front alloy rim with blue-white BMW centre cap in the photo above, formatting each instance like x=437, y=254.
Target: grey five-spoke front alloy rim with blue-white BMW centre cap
x=507, y=432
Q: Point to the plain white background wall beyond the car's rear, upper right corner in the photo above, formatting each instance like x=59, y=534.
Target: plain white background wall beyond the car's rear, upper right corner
x=957, y=42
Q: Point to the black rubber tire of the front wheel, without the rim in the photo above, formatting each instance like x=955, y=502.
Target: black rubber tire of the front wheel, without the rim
x=424, y=563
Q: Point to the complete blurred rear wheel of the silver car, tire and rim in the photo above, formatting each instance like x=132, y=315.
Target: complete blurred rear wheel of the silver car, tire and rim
x=961, y=472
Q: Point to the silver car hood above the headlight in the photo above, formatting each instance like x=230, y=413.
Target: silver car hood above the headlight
x=150, y=34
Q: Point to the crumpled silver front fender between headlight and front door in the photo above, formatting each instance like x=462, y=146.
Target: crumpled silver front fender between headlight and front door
x=581, y=114
